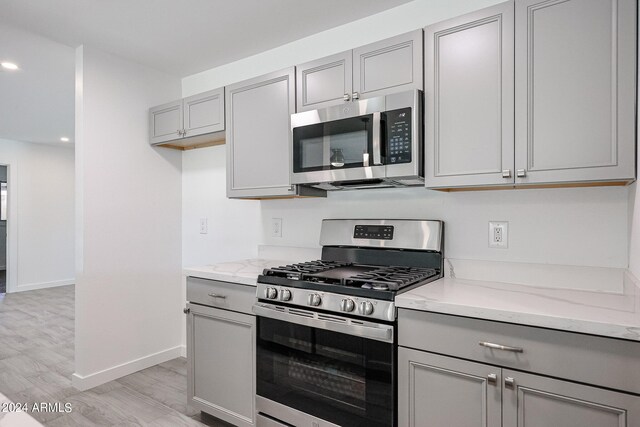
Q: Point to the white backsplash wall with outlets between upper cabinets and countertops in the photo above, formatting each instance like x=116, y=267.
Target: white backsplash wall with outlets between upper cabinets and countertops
x=573, y=226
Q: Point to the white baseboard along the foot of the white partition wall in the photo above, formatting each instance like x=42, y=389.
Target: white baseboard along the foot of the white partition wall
x=87, y=382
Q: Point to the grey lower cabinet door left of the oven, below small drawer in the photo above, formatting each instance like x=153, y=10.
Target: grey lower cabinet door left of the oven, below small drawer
x=221, y=363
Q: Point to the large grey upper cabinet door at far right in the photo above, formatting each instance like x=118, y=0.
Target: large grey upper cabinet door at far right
x=575, y=90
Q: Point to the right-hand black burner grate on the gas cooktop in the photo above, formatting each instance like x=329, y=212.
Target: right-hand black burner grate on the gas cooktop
x=390, y=278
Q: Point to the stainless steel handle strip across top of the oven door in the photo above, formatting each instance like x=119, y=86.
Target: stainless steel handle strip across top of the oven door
x=378, y=332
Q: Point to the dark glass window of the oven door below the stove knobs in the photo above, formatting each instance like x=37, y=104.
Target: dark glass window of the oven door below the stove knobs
x=341, y=378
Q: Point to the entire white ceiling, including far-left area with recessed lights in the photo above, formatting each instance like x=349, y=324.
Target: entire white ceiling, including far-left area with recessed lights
x=178, y=37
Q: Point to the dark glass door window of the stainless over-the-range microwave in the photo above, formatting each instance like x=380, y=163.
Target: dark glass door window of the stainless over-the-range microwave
x=338, y=144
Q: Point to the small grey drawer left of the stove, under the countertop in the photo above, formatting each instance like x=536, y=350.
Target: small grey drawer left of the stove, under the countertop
x=231, y=296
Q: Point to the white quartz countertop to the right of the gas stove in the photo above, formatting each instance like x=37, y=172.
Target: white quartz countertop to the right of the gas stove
x=598, y=313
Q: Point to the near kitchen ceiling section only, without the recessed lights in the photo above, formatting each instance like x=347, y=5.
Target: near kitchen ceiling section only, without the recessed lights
x=188, y=36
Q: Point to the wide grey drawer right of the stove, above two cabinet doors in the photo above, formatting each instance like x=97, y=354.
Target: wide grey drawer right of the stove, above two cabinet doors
x=601, y=361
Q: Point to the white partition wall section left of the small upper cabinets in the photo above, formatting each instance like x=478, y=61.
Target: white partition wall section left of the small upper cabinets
x=128, y=293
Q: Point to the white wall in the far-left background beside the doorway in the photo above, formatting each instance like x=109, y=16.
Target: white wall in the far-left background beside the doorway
x=41, y=203
